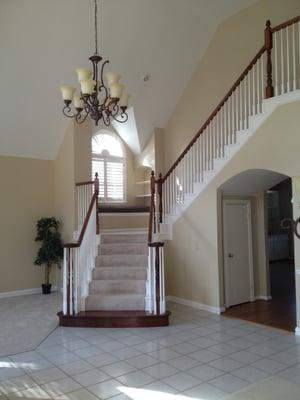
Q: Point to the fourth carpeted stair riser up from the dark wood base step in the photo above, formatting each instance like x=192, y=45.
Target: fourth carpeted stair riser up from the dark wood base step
x=122, y=260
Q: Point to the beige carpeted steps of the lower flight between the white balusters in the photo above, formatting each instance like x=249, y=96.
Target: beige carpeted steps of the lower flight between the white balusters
x=119, y=278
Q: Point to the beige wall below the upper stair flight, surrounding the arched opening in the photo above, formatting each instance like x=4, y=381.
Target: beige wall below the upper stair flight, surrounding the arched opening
x=193, y=257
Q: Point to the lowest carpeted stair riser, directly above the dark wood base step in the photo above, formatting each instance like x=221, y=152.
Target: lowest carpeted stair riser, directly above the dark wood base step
x=115, y=302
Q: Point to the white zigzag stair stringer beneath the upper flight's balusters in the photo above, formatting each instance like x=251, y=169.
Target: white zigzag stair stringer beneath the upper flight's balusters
x=242, y=136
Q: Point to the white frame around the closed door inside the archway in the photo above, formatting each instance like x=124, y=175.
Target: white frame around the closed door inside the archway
x=246, y=202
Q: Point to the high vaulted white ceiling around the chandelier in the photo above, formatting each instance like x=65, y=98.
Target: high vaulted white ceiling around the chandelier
x=43, y=41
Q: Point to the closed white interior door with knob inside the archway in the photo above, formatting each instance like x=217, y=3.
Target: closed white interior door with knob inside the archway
x=238, y=261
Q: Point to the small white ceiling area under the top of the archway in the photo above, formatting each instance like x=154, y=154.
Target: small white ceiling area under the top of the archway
x=251, y=182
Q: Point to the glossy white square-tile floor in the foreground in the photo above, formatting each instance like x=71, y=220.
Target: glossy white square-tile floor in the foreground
x=199, y=356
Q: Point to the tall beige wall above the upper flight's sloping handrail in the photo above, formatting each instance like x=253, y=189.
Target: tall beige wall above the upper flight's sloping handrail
x=234, y=44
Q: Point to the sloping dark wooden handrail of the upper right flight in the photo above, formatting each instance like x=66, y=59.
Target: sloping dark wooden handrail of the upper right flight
x=216, y=110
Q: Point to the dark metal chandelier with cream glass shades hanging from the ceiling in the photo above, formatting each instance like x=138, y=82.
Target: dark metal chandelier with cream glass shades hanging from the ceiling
x=107, y=102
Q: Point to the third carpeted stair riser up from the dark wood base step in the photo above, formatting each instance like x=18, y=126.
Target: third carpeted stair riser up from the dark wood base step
x=119, y=273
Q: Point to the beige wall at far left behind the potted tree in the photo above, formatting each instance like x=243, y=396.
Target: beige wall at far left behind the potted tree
x=27, y=194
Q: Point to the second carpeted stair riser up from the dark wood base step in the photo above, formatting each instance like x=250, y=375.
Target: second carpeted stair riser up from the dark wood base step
x=122, y=287
